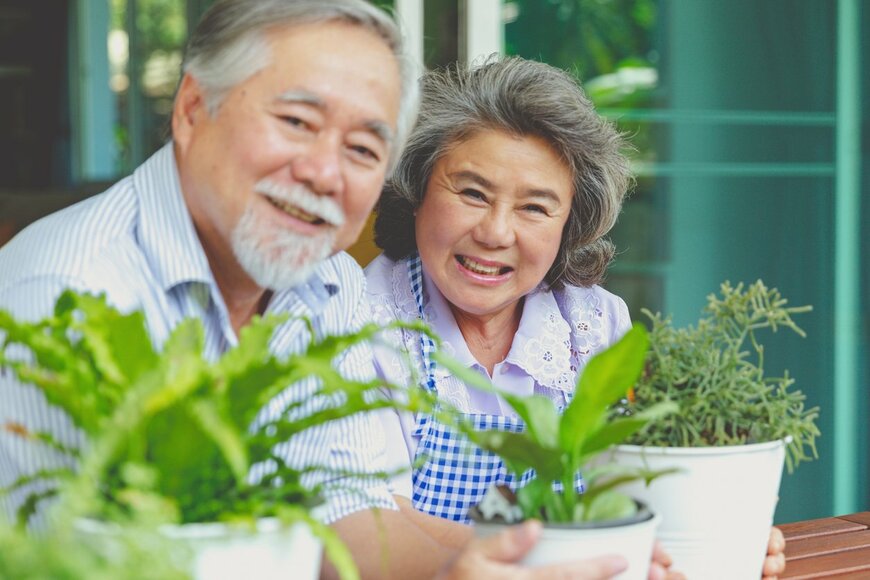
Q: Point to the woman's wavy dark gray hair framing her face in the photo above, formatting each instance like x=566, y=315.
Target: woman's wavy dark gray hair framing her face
x=523, y=98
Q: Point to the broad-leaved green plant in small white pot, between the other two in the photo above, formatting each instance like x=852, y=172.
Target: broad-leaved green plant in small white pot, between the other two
x=557, y=446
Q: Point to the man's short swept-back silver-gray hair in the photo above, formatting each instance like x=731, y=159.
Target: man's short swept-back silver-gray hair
x=229, y=45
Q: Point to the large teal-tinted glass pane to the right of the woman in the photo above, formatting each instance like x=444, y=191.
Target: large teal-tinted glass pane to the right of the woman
x=734, y=126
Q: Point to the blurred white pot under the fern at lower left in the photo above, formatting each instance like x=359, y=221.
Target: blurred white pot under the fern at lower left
x=222, y=552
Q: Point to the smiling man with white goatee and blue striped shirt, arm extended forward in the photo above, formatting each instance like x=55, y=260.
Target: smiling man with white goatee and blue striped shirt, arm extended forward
x=289, y=115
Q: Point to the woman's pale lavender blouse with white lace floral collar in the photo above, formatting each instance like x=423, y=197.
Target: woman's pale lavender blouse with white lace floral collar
x=558, y=332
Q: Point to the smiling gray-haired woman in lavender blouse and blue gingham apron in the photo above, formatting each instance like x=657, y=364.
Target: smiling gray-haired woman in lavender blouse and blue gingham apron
x=493, y=232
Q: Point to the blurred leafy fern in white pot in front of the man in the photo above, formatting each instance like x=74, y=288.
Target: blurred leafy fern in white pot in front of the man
x=169, y=433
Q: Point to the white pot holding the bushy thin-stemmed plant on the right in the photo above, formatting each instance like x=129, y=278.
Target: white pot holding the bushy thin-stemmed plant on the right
x=718, y=510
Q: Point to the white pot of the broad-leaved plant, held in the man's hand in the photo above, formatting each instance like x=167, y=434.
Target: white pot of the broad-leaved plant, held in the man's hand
x=632, y=539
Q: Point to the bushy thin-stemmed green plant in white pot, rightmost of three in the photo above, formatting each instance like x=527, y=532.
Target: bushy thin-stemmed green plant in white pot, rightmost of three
x=734, y=428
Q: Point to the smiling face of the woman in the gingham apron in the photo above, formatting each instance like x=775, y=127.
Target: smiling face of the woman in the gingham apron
x=491, y=220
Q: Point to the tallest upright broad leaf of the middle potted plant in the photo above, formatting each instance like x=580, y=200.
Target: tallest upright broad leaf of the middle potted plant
x=606, y=378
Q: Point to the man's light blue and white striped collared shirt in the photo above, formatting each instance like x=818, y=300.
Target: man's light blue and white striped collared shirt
x=137, y=244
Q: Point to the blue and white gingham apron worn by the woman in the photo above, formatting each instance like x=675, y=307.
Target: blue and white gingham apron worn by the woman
x=450, y=474
